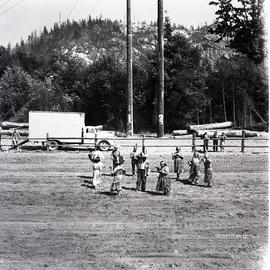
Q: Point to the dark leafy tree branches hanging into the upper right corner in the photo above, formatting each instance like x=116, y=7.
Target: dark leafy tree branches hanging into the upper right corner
x=242, y=22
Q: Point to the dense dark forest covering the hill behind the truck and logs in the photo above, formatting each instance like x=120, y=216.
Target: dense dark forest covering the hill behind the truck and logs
x=39, y=75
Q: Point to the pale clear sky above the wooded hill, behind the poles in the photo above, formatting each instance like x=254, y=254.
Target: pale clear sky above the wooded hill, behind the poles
x=18, y=18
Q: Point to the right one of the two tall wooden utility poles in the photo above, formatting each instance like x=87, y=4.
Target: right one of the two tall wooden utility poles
x=160, y=132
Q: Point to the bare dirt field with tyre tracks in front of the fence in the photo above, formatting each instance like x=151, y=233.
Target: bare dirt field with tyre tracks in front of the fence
x=51, y=218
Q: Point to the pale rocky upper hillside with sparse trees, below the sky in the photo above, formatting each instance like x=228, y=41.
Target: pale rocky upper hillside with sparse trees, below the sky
x=88, y=41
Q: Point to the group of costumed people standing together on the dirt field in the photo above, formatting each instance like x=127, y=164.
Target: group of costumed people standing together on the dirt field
x=141, y=168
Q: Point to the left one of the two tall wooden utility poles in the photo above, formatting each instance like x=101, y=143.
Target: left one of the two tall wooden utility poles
x=129, y=72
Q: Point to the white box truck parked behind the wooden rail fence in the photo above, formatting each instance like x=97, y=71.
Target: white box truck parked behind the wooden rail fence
x=55, y=129
